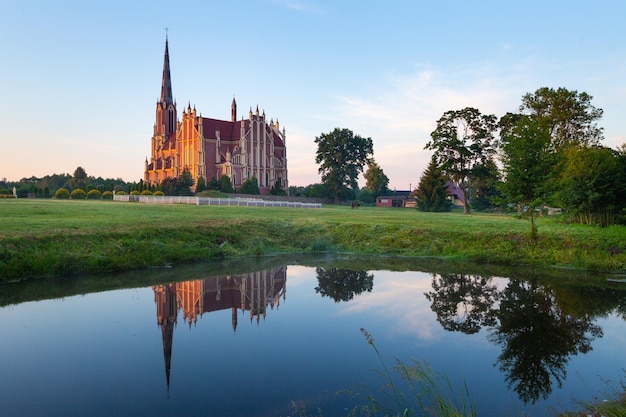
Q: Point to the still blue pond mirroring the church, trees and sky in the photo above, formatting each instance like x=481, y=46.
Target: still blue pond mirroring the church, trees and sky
x=253, y=342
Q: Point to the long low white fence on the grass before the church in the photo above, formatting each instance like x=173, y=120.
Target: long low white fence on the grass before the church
x=207, y=201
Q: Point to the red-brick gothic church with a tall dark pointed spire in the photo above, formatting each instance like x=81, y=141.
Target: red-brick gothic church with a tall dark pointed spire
x=240, y=149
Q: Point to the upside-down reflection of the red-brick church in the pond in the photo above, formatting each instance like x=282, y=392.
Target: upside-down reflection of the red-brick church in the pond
x=253, y=292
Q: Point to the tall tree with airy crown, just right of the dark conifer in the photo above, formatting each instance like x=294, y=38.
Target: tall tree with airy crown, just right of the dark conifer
x=462, y=140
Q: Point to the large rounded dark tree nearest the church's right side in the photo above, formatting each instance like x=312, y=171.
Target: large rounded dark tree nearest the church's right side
x=341, y=156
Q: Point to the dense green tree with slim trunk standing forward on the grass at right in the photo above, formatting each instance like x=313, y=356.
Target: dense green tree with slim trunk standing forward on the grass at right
x=526, y=160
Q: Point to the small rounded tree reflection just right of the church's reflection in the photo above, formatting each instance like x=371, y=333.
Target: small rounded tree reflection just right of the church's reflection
x=342, y=284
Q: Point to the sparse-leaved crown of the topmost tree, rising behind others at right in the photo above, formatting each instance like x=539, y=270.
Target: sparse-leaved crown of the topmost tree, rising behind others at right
x=569, y=116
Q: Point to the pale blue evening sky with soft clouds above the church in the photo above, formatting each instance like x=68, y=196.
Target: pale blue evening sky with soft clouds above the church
x=80, y=80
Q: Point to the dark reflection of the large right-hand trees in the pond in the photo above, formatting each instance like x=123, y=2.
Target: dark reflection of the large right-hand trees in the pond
x=536, y=336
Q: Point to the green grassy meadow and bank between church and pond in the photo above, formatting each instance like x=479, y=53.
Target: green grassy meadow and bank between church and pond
x=40, y=238
